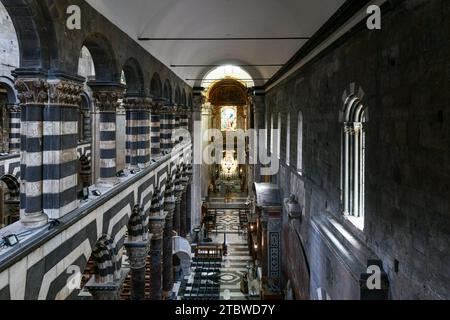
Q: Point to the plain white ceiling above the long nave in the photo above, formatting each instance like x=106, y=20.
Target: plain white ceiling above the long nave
x=219, y=18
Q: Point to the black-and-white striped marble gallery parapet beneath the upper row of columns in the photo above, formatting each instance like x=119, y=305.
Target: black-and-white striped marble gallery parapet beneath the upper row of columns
x=40, y=270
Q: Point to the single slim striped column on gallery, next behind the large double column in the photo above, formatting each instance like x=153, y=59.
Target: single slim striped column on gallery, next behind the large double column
x=107, y=101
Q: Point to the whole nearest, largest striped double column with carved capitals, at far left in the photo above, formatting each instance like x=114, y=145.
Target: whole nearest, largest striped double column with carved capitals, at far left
x=49, y=138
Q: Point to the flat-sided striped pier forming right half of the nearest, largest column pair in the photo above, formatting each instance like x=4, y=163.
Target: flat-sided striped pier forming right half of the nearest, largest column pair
x=60, y=161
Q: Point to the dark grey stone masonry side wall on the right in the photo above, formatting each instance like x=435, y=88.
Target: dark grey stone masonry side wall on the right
x=403, y=71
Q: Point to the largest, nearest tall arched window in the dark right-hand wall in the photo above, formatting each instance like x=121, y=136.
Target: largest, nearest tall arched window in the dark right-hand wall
x=353, y=160
